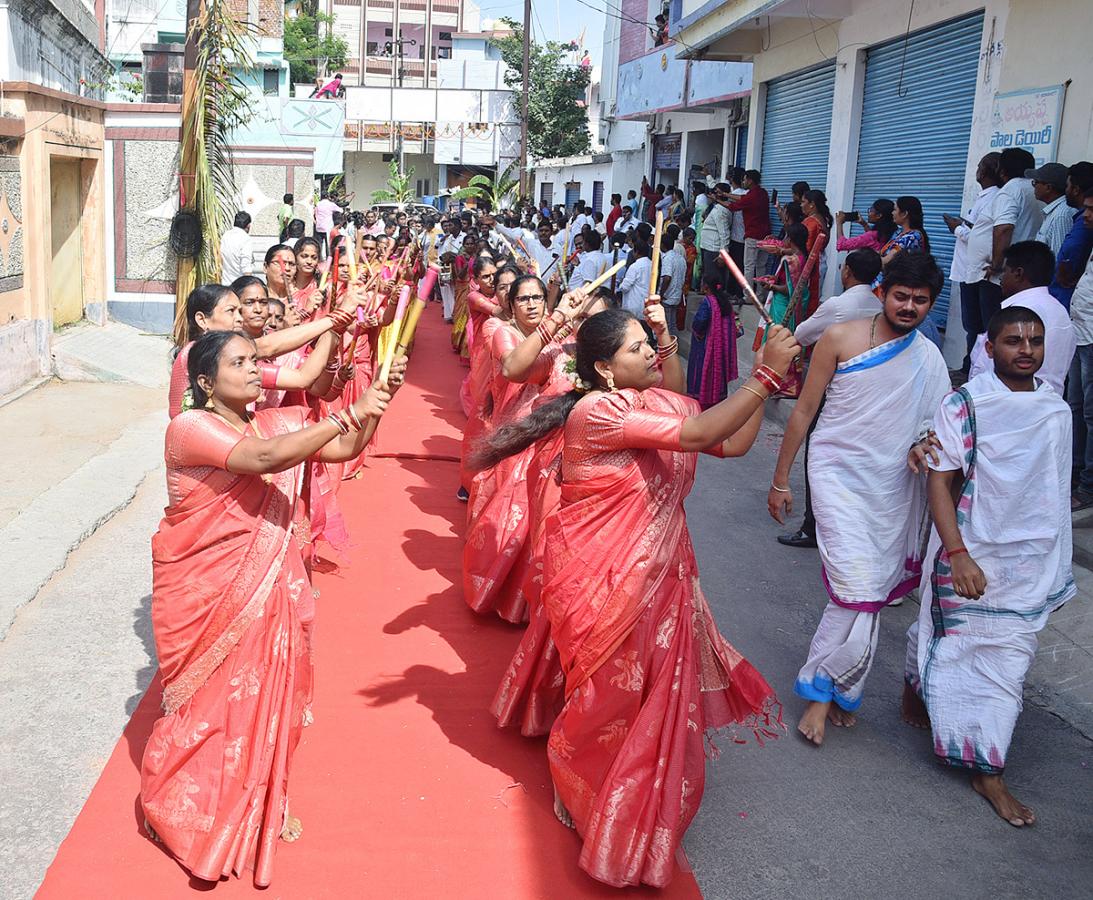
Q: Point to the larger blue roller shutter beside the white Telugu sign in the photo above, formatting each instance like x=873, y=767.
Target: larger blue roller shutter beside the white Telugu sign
x=916, y=123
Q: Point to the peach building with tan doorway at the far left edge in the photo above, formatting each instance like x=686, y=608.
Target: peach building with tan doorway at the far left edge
x=53, y=180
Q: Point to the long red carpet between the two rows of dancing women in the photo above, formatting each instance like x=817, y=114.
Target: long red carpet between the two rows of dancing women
x=405, y=786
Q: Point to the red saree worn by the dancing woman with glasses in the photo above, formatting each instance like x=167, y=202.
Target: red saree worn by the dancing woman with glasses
x=496, y=556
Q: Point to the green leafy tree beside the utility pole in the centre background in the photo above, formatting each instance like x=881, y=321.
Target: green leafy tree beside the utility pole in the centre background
x=558, y=116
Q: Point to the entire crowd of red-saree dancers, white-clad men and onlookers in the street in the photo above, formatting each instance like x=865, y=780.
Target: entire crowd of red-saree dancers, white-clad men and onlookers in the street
x=581, y=445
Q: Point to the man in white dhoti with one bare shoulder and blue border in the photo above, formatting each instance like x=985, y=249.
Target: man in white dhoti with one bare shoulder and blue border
x=884, y=383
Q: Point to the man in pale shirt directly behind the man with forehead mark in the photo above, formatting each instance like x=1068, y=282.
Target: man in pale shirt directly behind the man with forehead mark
x=1028, y=271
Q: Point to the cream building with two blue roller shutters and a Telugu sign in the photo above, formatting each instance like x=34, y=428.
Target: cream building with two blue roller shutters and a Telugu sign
x=863, y=103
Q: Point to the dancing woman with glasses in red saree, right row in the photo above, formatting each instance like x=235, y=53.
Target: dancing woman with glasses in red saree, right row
x=497, y=555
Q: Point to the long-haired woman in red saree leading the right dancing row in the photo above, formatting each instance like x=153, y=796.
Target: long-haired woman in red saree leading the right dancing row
x=648, y=674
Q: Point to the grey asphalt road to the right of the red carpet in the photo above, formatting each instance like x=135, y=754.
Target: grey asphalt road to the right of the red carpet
x=871, y=814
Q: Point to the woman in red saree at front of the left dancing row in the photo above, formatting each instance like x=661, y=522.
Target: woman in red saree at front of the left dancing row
x=230, y=604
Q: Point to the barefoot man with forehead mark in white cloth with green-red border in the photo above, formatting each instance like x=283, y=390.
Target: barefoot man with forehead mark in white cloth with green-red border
x=998, y=563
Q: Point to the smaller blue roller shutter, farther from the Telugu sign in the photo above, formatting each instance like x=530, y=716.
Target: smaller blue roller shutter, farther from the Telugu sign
x=797, y=131
